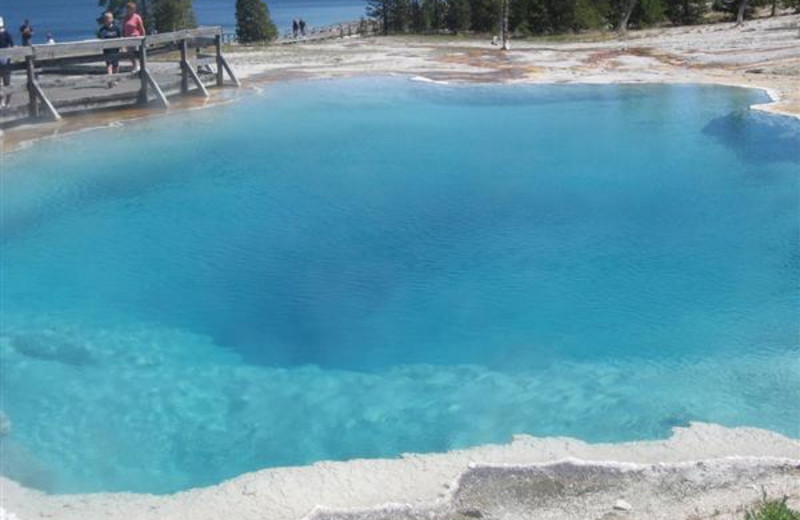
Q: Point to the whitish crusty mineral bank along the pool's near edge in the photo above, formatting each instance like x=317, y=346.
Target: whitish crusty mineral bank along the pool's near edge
x=716, y=470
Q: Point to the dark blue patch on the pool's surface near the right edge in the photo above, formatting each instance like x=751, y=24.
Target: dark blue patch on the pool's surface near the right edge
x=757, y=138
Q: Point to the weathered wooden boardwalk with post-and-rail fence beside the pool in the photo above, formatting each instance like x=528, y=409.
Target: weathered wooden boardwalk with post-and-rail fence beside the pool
x=80, y=84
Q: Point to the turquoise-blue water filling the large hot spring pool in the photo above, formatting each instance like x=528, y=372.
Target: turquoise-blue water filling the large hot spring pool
x=367, y=267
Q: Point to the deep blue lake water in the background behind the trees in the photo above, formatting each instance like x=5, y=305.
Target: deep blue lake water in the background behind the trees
x=75, y=19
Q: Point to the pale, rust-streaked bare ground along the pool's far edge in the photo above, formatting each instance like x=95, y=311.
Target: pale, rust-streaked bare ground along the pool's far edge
x=652, y=56
